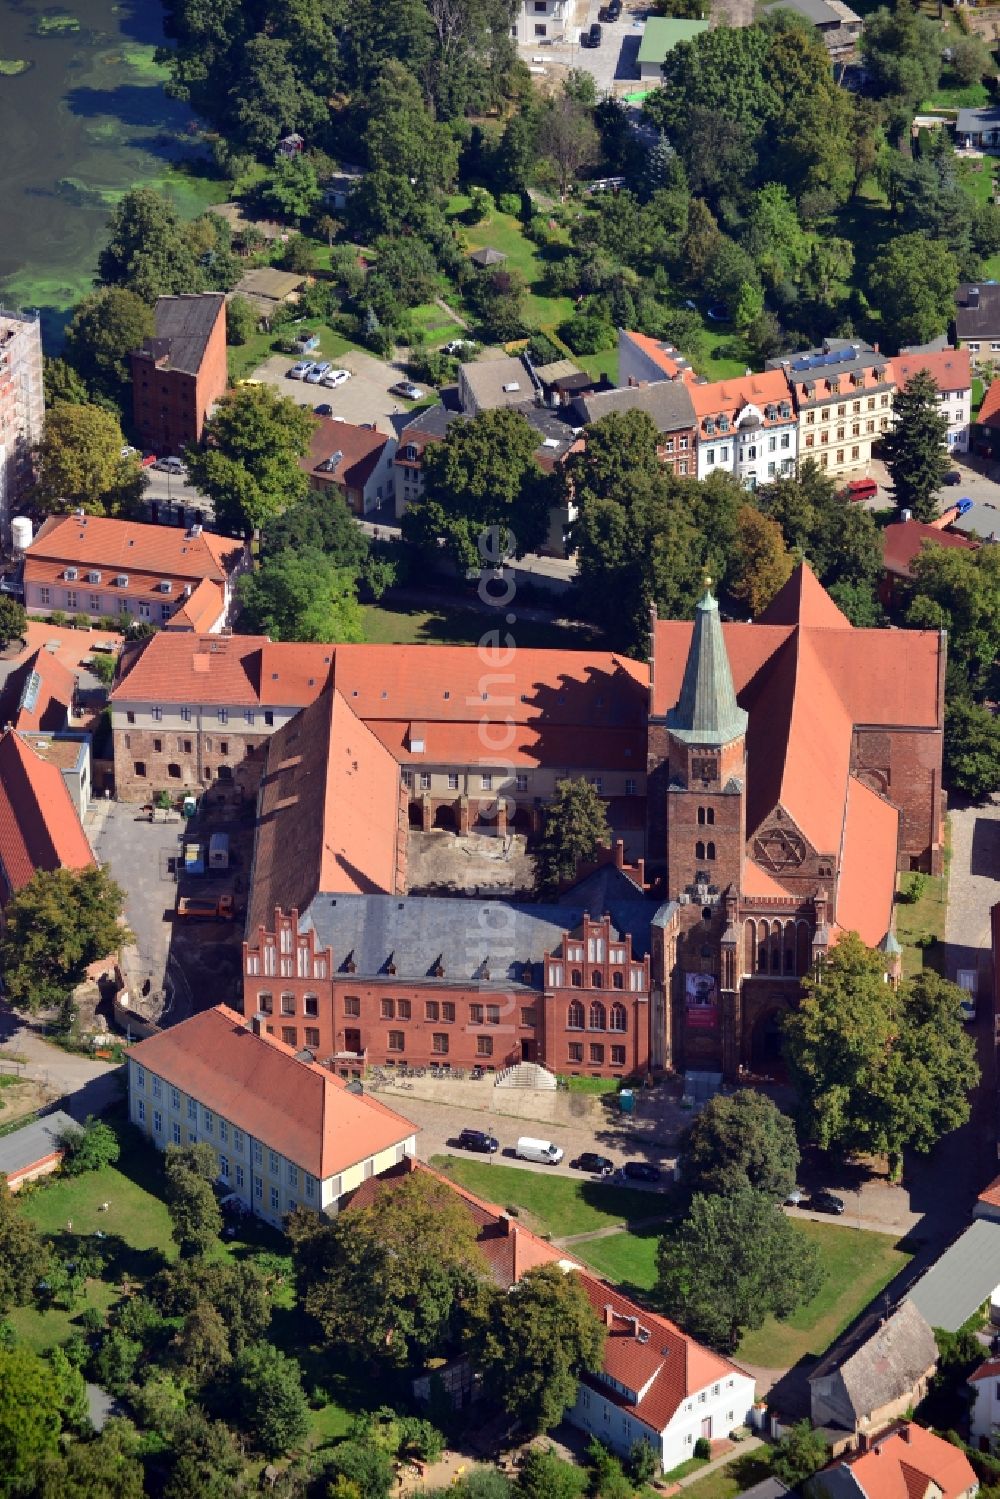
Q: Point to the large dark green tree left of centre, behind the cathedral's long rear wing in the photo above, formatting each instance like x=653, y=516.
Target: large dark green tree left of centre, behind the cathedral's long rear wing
x=484, y=476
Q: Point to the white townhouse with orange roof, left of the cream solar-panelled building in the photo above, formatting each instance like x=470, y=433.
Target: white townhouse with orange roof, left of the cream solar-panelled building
x=747, y=428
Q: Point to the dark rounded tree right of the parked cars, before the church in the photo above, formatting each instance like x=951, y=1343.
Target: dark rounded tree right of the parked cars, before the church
x=738, y=1141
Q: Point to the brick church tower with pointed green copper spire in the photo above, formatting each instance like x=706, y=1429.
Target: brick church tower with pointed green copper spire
x=707, y=771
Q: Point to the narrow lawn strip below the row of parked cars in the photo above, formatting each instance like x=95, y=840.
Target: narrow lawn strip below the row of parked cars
x=555, y=1206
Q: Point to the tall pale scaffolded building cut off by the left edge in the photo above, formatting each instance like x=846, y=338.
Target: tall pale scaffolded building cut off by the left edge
x=22, y=408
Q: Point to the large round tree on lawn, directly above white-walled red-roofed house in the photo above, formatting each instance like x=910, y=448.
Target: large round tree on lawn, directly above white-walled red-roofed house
x=732, y=1263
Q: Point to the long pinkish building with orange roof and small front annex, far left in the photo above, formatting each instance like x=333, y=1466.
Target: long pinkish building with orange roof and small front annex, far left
x=106, y=569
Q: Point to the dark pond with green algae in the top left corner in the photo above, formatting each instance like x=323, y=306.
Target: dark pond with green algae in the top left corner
x=85, y=121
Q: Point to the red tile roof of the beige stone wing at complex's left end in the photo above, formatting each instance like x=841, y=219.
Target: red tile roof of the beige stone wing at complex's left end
x=230, y=671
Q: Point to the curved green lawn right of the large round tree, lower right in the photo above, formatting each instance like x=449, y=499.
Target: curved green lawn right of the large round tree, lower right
x=857, y=1266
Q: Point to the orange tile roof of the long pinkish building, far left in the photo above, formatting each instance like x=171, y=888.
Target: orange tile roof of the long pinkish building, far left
x=125, y=546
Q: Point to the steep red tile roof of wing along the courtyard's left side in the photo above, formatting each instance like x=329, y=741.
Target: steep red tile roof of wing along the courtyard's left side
x=328, y=813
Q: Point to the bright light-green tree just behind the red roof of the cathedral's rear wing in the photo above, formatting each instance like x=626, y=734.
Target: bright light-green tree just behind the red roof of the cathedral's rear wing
x=302, y=596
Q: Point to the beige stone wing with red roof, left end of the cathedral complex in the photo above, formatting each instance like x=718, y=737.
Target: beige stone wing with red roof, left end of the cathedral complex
x=193, y=710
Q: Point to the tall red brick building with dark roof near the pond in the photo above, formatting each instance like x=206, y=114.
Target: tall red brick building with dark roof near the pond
x=181, y=373
